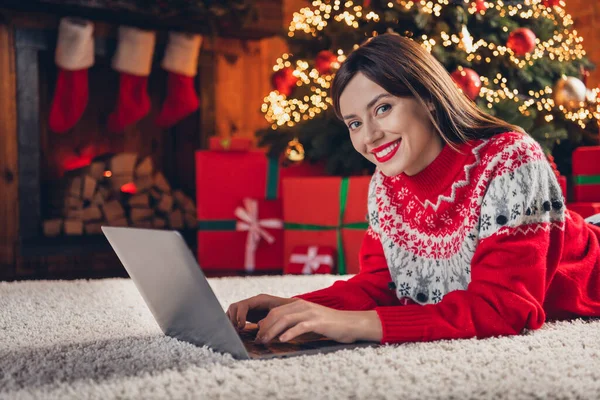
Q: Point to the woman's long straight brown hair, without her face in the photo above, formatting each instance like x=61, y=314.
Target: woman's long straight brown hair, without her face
x=404, y=68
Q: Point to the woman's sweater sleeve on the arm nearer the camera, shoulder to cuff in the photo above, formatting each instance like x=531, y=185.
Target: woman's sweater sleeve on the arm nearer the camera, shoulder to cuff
x=520, y=237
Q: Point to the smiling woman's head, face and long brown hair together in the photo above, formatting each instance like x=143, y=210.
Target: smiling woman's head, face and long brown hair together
x=385, y=96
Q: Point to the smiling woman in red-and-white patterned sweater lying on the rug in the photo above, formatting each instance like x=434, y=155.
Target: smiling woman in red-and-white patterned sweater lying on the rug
x=468, y=231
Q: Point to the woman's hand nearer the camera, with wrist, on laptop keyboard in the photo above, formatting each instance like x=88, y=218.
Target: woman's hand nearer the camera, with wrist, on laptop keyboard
x=299, y=317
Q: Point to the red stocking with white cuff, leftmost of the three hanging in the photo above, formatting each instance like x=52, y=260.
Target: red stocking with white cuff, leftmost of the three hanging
x=74, y=55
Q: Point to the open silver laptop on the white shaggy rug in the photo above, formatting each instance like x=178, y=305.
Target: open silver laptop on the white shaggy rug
x=183, y=304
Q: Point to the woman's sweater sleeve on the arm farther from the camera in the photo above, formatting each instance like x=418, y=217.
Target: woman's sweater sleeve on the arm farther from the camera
x=369, y=288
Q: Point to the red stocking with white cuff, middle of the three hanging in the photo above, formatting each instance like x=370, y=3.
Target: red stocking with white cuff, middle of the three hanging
x=133, y=61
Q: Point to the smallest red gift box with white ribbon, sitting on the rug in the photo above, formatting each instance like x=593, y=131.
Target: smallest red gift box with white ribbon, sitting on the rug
x=309, y=260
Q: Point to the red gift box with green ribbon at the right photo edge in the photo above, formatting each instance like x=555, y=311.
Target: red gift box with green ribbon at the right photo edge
x=586, y=174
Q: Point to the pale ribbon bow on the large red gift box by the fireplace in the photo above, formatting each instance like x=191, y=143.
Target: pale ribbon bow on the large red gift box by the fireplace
x=249, y=221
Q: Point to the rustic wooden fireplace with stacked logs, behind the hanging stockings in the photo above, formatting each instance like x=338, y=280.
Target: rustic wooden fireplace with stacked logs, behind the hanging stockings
x=53, y=185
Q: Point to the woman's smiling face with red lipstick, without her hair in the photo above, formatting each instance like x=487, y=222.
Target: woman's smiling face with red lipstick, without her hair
x=394, y=133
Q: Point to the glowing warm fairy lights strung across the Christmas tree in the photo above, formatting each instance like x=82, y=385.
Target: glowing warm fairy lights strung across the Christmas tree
x=565, y=45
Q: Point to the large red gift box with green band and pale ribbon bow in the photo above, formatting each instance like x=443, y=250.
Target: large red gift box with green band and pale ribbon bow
x=223, y=181
